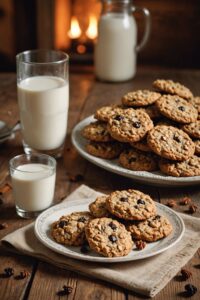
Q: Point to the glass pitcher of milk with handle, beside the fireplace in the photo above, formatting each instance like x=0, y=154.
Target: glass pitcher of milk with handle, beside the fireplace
x=116, y=48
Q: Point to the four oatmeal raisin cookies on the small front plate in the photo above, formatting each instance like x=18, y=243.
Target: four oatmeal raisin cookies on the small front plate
x=114, y=222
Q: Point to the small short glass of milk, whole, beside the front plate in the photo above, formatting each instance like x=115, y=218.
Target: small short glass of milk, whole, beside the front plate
x=33, y=181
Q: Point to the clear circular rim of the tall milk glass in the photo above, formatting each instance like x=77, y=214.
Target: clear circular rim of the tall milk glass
x=65, y=56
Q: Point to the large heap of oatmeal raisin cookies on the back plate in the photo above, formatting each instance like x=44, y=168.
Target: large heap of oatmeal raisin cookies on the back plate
x=150, y=130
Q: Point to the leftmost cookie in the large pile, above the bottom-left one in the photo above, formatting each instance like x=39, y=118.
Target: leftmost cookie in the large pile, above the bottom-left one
x=97, y=132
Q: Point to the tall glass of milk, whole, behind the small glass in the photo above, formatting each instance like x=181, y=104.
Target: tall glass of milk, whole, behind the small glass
x=43, y=99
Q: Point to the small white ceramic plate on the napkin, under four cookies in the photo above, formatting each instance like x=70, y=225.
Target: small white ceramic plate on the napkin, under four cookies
x=44, y=221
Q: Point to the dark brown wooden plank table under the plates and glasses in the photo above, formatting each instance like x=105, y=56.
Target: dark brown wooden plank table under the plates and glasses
x=85, y=96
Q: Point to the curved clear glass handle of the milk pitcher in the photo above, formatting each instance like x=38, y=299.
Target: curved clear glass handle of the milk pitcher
x=147, y=16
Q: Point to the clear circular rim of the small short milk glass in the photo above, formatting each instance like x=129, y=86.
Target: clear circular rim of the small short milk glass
x=26, y=156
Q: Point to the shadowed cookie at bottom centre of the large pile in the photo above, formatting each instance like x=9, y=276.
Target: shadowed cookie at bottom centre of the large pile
x=137, y=160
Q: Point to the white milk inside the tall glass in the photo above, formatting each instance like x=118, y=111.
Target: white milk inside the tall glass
x=43, y=105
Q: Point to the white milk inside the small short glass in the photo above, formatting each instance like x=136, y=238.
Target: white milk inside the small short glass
x=33, y=186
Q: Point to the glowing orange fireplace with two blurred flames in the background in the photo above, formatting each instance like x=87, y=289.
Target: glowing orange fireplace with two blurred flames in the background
x=75, y=28
